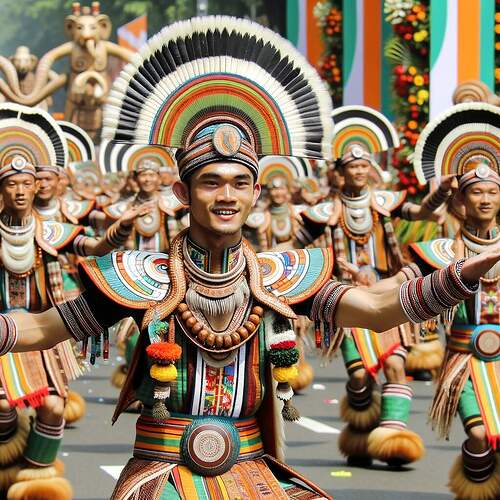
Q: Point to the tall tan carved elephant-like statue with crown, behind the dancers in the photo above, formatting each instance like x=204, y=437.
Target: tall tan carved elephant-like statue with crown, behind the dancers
x=88, y=82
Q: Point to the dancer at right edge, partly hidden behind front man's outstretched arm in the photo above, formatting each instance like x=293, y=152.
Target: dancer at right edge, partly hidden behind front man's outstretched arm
x=469, y=381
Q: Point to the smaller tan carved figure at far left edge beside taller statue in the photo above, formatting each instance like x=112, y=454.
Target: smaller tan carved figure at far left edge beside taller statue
x=20, y=73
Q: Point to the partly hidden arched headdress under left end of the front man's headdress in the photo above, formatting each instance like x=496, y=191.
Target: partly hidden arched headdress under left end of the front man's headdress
x=119, y=157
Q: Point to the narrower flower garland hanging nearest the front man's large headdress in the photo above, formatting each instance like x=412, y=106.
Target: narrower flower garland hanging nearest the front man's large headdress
x=329, y=16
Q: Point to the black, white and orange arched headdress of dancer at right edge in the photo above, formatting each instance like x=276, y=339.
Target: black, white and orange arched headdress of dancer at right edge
x=463, y=139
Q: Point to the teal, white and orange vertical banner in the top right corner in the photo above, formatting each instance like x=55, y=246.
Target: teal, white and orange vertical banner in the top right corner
x=462, y=47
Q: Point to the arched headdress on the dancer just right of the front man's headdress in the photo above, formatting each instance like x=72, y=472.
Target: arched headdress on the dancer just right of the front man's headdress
x=360, y=132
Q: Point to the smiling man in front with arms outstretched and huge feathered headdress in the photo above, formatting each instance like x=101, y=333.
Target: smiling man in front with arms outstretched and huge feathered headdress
x=214, y=317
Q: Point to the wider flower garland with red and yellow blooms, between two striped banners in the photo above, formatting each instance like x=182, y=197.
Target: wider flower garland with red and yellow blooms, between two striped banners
x=408, y=51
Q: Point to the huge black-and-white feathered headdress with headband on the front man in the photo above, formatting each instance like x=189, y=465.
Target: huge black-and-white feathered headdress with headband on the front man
x=220, y=88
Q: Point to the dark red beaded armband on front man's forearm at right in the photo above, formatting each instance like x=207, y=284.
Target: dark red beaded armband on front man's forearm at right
x=425, y=298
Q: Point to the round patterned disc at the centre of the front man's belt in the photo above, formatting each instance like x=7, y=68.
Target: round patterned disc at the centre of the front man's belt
x=210, y=446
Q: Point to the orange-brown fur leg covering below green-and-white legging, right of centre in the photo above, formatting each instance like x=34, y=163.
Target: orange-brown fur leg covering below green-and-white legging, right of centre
x=395, y=446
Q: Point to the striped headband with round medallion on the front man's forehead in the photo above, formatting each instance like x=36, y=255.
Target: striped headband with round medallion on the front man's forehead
x=217, y=143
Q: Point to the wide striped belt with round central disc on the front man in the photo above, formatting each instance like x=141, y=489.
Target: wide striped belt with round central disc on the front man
x=207, y=445
